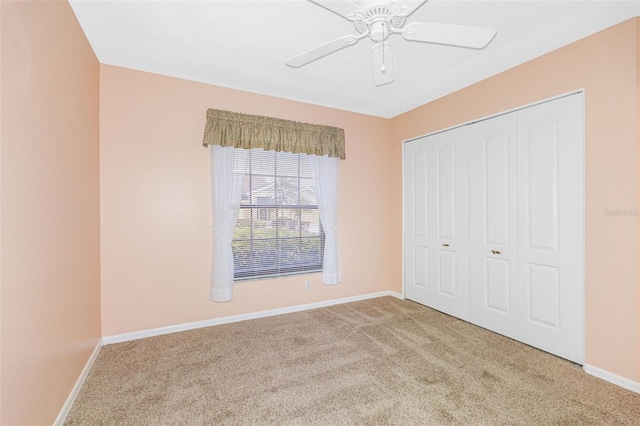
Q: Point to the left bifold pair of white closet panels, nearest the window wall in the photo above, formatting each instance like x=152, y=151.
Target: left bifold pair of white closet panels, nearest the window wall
x=437, y=222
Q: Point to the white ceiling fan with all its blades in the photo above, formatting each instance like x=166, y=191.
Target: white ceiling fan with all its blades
x=378, y=19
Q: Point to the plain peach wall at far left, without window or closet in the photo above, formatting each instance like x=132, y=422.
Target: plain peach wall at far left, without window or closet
x=50, y=209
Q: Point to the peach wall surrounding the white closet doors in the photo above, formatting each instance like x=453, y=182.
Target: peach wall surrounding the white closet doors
x=606, y=65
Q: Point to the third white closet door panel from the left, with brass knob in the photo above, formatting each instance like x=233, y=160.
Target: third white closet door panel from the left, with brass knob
x=493, y=231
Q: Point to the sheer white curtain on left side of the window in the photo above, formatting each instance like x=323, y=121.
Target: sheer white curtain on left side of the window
x=226, y=194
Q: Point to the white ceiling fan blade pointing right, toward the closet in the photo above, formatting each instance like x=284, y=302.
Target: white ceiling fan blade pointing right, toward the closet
x=455, y=35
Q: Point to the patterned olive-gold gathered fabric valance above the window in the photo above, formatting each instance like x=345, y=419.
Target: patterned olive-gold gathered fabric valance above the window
x=226, y=128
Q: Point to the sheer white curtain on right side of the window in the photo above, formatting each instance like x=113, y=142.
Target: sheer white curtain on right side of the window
x=326, y=173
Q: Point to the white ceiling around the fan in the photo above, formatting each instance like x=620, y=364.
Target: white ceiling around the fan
x=244, y=45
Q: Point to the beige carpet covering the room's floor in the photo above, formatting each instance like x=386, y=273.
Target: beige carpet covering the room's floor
x=375, y=362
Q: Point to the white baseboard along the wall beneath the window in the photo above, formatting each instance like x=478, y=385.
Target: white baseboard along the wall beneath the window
x=243, y=317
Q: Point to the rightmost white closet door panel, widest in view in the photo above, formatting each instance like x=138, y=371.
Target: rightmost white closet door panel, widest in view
x=551, y=226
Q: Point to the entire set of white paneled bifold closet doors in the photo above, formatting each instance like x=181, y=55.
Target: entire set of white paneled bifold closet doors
x=494, y=224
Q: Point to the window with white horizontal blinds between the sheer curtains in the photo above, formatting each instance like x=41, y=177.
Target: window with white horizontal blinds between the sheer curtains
x=278, y=231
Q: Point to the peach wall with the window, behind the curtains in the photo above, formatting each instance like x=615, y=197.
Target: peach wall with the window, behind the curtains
x=155, y=198
